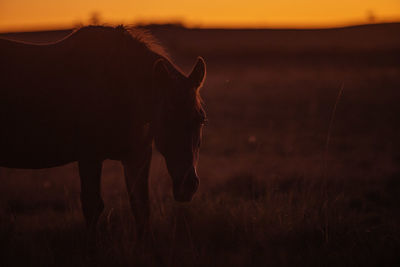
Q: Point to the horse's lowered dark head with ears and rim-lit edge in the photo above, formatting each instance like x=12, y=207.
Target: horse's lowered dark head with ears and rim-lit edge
x=178, y=122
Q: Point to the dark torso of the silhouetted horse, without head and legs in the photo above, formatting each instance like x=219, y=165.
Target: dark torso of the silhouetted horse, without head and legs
x=67, y=101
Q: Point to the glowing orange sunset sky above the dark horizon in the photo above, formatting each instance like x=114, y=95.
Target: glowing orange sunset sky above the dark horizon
x=33, y=14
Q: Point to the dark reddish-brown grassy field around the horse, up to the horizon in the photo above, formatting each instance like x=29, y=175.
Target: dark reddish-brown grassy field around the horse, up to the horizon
x=286, y=179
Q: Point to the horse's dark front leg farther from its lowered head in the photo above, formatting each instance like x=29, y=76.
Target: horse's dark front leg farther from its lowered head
x=92, y=203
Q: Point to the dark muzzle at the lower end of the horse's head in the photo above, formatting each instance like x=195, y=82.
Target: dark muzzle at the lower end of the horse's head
x=185, y=188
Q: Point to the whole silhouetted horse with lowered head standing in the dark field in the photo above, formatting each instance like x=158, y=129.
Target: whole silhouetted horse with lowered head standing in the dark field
x=101, y=93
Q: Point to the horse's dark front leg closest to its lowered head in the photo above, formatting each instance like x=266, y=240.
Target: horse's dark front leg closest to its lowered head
x=137, y=181
